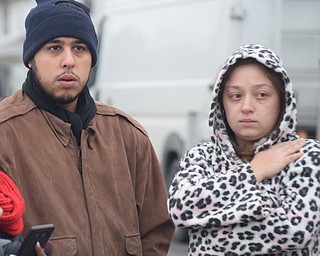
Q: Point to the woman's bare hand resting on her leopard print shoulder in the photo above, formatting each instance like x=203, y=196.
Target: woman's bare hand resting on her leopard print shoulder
x=271, y=161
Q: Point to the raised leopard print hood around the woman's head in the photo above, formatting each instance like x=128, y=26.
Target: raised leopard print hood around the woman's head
x=287, y=125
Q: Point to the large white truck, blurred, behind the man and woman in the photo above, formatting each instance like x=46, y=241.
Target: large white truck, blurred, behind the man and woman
x=158, y=61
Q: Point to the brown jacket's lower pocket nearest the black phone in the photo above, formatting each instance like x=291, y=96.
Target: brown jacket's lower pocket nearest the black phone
x=64, y=246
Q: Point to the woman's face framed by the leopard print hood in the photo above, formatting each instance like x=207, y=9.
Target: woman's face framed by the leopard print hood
x=251, y=103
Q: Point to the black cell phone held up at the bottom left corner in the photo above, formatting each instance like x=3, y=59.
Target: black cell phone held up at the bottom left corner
x=39, y=233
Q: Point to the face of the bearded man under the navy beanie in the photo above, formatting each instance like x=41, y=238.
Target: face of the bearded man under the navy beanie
x=62, y=68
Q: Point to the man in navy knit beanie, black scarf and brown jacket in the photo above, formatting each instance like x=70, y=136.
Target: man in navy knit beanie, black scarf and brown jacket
x=84, y=166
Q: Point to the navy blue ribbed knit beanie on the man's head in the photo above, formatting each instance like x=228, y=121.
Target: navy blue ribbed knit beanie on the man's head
x=58, y=18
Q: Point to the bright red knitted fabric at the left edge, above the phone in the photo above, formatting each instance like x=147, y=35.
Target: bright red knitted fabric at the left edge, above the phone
x=12, y=205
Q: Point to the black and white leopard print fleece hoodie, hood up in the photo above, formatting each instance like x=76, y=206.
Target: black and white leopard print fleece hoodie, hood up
x=227, y=212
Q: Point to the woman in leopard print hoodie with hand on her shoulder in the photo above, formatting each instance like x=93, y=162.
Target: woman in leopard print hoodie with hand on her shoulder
x=254, y=189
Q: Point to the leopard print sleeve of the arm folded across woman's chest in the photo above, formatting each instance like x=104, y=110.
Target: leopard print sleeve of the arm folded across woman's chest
x=201, y=197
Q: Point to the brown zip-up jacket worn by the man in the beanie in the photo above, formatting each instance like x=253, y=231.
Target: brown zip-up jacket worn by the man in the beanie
x=107, y=199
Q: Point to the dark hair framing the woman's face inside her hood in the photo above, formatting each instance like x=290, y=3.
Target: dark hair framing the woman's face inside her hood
x=275, y=78
